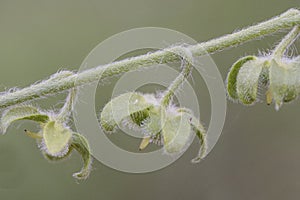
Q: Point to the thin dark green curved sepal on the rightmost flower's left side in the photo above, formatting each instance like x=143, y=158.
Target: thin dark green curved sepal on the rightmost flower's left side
x=232, y=76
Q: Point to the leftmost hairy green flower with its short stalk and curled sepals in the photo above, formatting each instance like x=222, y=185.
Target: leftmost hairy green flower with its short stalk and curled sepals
x=55, y=139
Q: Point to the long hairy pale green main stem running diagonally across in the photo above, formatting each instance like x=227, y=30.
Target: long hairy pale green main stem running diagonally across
x=287, y=20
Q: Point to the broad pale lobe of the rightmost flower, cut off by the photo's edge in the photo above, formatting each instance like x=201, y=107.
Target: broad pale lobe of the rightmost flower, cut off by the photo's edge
x=284, y=81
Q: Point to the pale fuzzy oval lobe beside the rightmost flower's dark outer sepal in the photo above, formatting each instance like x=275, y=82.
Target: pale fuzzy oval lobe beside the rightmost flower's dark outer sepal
x=248, y=80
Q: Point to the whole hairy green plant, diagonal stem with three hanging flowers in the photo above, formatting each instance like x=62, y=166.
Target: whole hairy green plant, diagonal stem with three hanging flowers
x=161, y=121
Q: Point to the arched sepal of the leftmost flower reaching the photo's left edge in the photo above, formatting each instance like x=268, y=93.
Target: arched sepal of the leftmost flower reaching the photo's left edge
x=25, y=112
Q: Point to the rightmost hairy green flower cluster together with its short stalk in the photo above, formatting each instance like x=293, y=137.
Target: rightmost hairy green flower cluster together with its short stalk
x=276, y=72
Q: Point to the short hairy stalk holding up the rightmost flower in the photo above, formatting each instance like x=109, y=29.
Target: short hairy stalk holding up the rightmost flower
x=284, y=44
